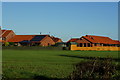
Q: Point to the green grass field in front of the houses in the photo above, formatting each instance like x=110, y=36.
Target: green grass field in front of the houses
x=48, y=63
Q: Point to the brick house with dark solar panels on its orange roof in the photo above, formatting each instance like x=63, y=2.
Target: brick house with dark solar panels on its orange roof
x=32, y=40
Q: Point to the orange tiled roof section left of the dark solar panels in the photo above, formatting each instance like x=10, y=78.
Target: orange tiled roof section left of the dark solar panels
x=18, y=38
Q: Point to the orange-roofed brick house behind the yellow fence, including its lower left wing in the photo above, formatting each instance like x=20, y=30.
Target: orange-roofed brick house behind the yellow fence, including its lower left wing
x=95, y=41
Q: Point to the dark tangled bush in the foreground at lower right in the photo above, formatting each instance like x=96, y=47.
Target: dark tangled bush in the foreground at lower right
x=94, y=69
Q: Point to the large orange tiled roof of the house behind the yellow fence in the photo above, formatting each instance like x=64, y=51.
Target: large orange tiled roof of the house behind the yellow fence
x=99, y=39
